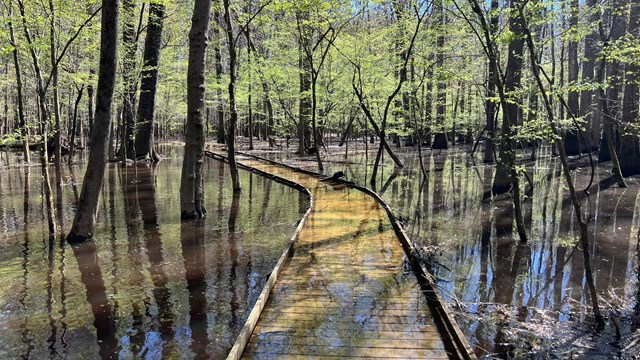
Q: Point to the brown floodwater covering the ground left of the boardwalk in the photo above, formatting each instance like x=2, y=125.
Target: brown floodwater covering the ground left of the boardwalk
x=148, y=286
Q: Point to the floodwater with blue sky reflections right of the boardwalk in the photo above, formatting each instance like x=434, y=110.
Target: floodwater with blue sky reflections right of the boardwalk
x=503, y=290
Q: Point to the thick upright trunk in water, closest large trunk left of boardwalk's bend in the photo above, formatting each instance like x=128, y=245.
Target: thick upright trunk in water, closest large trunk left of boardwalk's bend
x=191, y=185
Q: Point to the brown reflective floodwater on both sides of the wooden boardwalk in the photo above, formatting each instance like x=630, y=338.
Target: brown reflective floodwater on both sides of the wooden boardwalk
x=151, y=286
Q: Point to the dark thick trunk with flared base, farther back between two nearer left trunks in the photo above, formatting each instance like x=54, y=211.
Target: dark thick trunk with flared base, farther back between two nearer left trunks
x=149, y=83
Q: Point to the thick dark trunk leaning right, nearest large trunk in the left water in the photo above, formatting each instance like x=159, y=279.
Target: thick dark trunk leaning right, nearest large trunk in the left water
x=85, y=219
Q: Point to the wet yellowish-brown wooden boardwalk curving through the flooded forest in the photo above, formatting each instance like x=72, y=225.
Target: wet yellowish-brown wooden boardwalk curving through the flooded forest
x=345, y=289
